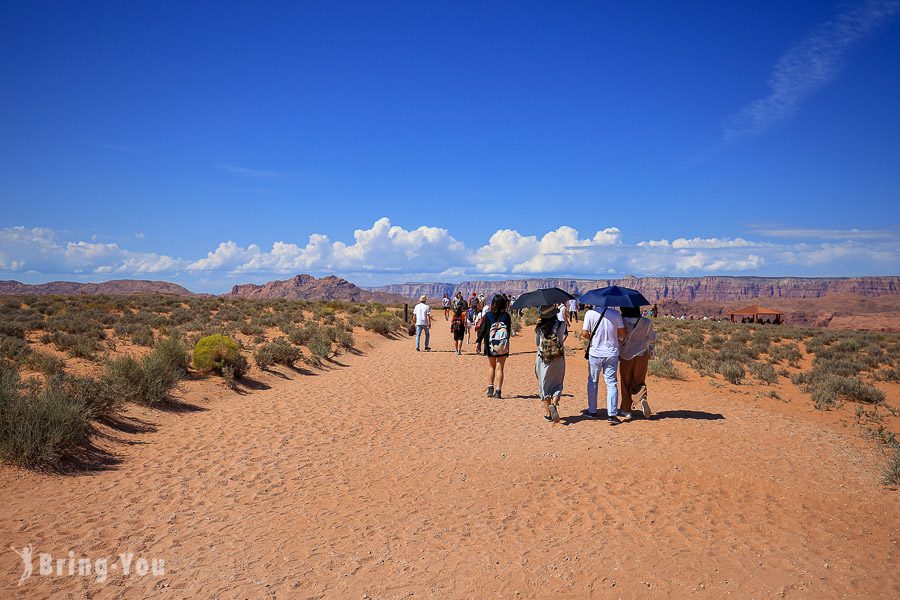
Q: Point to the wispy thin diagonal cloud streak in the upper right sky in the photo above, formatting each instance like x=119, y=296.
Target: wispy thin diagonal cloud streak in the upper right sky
x=809, y=65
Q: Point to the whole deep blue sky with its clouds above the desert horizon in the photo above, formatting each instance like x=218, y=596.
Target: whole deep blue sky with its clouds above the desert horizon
x=217, y=143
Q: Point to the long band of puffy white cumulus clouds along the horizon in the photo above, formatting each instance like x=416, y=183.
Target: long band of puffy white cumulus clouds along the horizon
x=386, y=253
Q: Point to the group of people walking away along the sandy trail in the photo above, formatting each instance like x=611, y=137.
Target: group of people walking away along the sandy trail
x=619, y=344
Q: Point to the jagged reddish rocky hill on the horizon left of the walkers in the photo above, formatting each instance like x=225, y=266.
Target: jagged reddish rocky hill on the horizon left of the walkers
x=307, y=287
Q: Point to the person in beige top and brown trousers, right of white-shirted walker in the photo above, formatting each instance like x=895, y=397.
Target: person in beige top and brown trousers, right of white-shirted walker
x=634, y=355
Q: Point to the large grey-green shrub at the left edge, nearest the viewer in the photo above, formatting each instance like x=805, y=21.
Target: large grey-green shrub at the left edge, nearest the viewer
x=39, y=424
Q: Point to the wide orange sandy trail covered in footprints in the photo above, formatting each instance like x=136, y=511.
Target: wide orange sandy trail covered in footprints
x=393, y=477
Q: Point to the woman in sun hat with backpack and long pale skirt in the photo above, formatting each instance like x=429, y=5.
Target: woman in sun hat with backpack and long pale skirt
x=550, y=362
